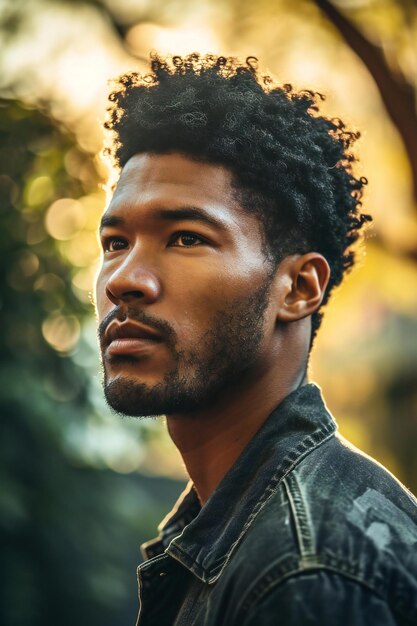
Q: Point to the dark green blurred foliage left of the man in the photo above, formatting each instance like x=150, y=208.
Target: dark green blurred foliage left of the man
x=70, y=533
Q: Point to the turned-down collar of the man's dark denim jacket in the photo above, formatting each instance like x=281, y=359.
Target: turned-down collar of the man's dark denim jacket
x=203, y=539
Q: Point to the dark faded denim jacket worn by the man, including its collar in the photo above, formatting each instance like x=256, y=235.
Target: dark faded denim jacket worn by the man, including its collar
x=304, y=529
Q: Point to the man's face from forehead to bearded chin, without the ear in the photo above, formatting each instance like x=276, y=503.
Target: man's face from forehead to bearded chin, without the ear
x=183, y=294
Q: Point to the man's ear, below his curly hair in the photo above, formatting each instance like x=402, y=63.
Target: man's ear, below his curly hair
x=302, y=282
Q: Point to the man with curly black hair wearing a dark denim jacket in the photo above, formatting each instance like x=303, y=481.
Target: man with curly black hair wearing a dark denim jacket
x=232, y=220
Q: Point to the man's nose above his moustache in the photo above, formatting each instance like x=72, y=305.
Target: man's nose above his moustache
x=133, y=280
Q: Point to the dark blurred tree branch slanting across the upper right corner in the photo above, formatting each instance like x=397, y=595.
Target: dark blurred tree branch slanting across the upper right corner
x=397, y=94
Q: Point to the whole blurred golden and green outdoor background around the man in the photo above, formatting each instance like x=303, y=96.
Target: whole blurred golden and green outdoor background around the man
x=81, y=488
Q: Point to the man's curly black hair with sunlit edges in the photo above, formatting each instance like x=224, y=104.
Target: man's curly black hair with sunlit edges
x=290, y=165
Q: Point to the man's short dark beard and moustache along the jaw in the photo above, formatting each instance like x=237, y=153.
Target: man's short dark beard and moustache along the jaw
x=225, y=352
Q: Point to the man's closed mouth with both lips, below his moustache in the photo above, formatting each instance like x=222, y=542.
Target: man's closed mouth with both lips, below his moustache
x=130, y=338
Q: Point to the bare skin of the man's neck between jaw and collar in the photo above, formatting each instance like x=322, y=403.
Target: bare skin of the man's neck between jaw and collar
x=212, y=439
